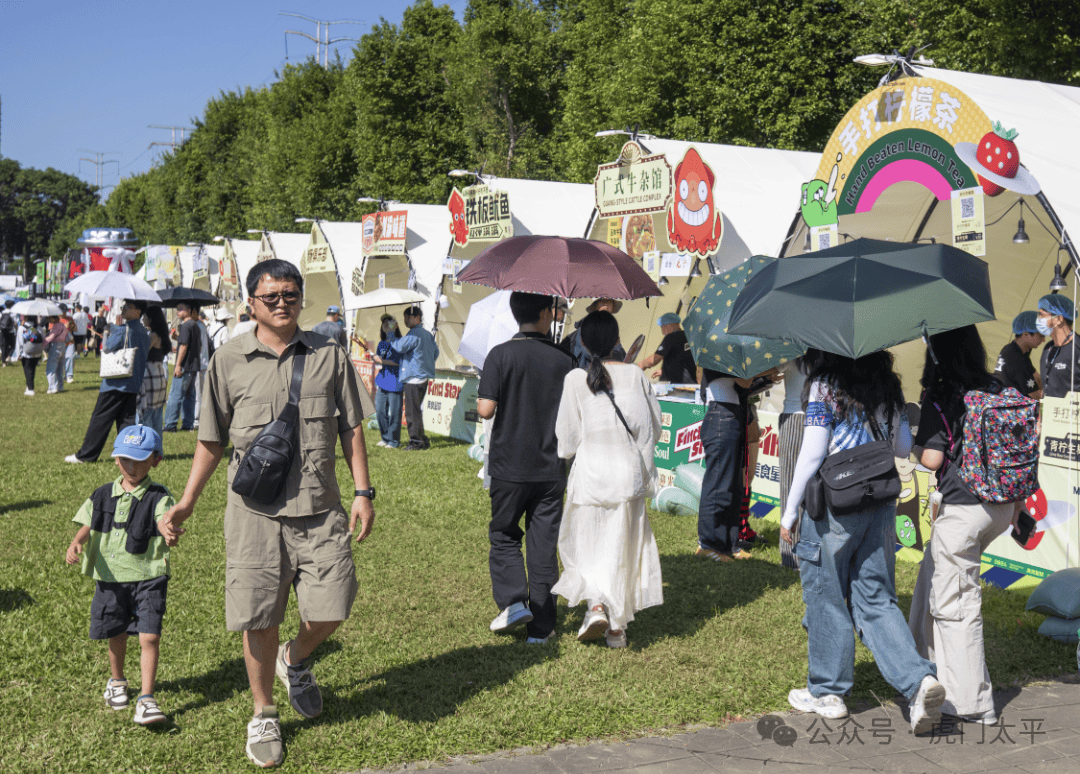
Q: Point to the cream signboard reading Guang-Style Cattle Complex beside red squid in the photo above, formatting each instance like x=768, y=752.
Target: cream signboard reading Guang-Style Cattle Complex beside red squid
x=633, y=185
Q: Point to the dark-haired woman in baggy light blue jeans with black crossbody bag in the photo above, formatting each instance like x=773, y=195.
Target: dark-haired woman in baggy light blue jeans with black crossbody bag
x=846, y=563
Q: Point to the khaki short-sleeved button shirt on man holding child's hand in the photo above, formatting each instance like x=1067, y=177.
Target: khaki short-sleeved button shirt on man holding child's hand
x=248, y=387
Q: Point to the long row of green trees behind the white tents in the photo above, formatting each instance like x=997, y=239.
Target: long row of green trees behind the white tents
x=520, y=88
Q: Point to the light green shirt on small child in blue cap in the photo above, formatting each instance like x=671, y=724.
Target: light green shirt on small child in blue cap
x=105, y=556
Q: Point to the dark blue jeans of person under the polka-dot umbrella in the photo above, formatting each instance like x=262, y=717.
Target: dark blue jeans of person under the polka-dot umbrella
x=724, y=437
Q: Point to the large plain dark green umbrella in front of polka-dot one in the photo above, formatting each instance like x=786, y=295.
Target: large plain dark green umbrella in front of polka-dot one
x=865, y=296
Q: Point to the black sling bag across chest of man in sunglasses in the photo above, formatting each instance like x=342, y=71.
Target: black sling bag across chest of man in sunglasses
x=262, y=473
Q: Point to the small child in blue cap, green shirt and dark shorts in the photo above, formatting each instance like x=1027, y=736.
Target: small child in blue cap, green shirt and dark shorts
x=124, y=551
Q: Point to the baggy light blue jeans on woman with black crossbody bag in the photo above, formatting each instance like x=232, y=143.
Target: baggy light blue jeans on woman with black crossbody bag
x=849, y=559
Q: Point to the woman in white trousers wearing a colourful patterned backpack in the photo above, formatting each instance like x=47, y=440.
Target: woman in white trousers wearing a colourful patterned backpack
x=947, y=617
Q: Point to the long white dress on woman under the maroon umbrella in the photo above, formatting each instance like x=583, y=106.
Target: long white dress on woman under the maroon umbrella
x=610, y=555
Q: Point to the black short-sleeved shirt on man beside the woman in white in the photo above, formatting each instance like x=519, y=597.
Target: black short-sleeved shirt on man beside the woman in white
x=525, y=377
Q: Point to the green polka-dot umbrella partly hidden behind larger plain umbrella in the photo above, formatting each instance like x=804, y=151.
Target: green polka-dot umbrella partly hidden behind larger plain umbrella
x=706, y=327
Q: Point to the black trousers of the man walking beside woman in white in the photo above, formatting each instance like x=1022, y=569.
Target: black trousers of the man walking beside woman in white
x=542, y=504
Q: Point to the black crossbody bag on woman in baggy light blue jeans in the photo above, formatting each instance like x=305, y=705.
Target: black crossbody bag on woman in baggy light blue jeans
x=855, y=480
